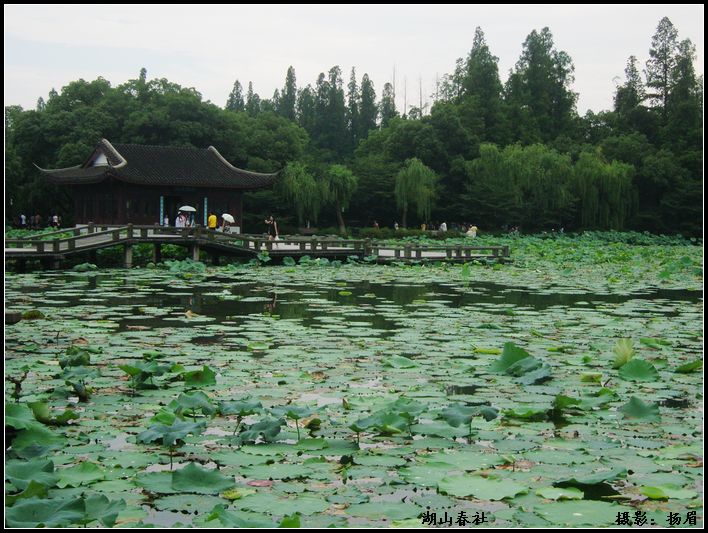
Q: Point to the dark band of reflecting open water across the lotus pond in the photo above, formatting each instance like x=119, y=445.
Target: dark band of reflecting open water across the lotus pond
x=358, y=303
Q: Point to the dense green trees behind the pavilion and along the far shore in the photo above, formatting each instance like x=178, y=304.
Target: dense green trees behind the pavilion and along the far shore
x=493, y=154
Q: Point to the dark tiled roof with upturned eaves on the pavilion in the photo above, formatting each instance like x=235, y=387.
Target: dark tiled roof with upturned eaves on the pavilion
x=161, y=165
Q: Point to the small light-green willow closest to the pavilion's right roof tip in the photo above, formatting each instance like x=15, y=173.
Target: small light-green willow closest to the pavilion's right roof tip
x=300, y=189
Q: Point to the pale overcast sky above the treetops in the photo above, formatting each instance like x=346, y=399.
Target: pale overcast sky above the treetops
x=209, y=46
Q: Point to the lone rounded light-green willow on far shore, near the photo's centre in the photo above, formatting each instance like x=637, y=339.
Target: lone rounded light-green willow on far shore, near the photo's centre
x=415, y=185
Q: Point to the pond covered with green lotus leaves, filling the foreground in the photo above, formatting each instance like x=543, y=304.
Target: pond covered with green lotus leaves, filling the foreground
x=559, y=390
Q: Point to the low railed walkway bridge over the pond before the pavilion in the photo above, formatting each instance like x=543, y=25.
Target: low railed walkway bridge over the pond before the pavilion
x=89, y=239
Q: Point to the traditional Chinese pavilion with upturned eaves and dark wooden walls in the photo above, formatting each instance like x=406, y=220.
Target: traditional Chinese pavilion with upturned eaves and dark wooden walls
x=131, y=183
